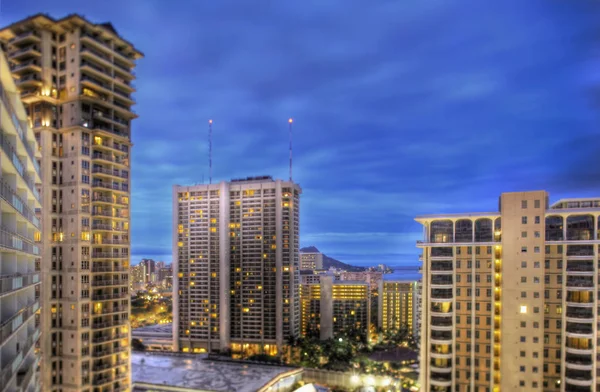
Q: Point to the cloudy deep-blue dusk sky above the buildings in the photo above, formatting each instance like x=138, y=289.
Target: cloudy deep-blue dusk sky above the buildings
x=401, y=108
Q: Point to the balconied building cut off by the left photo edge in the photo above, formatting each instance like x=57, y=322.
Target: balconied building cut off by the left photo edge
x=19, y=254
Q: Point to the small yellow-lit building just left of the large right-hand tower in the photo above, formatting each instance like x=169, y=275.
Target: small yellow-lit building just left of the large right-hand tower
x=396, y=307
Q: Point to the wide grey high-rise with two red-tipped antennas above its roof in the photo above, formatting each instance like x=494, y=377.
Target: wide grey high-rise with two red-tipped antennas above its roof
x=236, y=265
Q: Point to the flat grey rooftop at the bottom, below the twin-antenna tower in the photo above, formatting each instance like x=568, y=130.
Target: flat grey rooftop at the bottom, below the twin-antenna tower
x=197, y=372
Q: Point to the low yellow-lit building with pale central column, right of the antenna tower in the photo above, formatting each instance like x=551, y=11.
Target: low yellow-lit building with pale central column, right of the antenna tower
x=334, y=308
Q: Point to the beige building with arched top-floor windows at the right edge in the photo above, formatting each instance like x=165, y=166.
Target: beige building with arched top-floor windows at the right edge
x=509, y=297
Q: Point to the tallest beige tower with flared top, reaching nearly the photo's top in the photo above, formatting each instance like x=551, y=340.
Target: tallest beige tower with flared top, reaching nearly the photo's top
x=75, y=79
